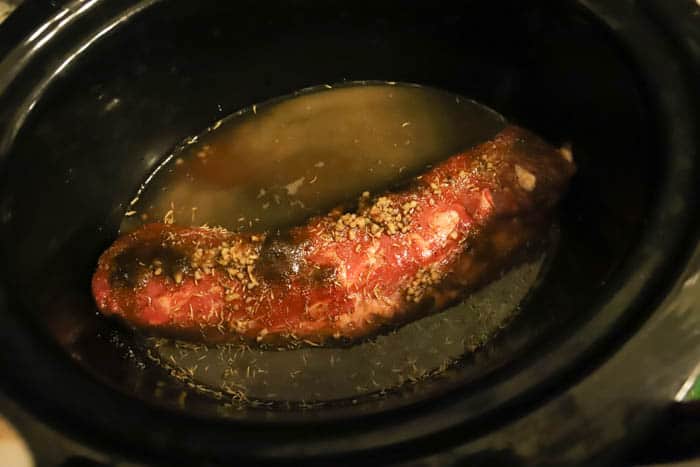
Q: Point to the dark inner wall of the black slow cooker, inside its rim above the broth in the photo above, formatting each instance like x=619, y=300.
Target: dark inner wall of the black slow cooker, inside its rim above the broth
x=119, y=108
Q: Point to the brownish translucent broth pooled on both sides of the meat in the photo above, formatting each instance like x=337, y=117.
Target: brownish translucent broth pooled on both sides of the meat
x=276, y=164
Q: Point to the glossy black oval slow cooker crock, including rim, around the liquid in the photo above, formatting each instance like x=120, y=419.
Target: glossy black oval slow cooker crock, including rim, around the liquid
x=94, y=93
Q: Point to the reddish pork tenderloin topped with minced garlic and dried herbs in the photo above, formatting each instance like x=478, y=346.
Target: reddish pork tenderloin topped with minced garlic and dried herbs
x=345, y=275
